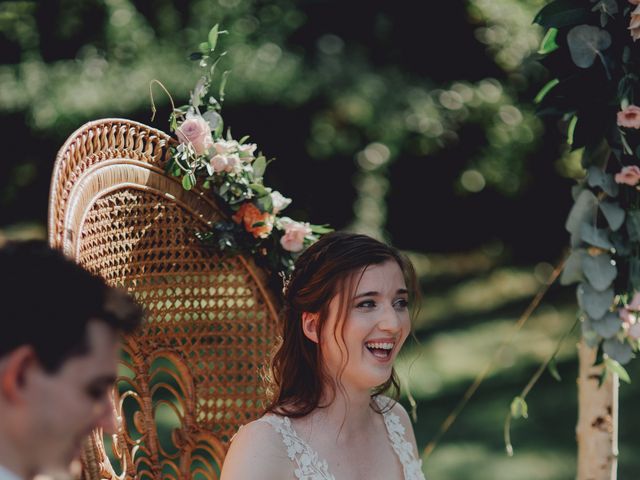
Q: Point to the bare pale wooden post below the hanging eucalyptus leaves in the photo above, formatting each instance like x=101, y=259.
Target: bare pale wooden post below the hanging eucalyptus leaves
x=597, y=429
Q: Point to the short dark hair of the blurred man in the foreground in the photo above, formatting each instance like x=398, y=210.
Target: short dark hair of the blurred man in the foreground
x=47, y=300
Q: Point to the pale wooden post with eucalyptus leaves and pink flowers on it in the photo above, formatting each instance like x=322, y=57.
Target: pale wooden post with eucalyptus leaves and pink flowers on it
x=591, y=51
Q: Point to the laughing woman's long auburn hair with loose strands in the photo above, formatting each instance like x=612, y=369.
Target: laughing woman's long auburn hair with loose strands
x=332, y=266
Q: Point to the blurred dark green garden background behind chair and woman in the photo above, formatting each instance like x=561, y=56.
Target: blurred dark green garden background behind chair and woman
x=410, y=121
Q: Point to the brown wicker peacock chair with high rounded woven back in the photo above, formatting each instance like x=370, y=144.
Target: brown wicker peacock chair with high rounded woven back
x=190, y=377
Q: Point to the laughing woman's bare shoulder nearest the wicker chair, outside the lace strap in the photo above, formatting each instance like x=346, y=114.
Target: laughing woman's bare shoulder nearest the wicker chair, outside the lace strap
x=256, y=452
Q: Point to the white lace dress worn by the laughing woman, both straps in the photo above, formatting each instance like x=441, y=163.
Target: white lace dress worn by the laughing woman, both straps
x=310, y=467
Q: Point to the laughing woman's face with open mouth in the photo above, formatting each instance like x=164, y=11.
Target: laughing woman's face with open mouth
x=376, y=325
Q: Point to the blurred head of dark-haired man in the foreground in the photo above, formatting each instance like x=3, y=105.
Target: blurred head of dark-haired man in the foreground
x=58, y=353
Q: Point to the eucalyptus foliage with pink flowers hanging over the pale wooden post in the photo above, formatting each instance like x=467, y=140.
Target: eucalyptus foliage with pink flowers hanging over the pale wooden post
x=596, y=96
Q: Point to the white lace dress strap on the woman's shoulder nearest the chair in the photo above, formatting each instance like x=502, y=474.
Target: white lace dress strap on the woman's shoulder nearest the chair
x=309, y=465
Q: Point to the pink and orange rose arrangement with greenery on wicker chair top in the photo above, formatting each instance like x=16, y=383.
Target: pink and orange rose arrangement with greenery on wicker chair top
x=232, y=170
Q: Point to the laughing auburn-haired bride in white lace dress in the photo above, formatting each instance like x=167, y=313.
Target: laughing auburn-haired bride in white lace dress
x=345, y=318
